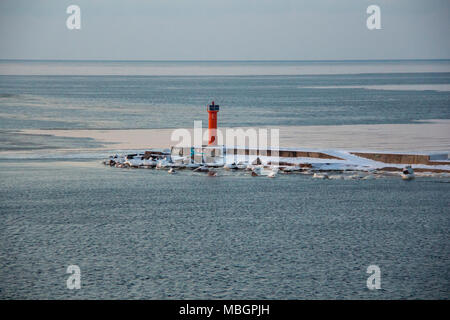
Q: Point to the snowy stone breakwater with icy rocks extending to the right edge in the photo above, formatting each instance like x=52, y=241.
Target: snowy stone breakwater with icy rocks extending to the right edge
x=338, y=165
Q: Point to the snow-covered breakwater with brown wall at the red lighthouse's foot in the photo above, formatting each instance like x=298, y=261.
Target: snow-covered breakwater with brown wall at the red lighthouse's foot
x=287, y=160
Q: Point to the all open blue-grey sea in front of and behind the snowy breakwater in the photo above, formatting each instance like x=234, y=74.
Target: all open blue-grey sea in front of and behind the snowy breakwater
x=147, y=234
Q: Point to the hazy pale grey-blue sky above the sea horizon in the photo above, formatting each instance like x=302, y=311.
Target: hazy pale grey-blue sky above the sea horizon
x=225, y=29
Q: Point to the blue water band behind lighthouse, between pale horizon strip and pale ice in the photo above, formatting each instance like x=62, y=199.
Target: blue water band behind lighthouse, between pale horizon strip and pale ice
x=123, y=102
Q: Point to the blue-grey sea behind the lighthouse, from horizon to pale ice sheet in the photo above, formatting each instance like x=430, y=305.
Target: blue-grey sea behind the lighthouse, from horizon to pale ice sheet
x=100, y=100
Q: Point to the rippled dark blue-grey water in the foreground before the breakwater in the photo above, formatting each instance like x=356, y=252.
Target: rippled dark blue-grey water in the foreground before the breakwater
x=147, y=234
